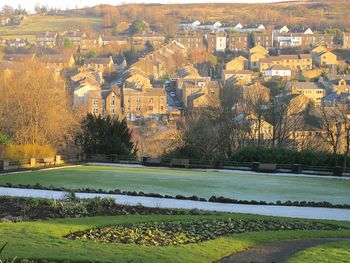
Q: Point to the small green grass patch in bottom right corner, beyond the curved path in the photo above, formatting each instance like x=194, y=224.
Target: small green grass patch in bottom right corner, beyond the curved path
x=330, y=252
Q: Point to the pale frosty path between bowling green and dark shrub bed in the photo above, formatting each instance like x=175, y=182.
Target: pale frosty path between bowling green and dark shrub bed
x=284, y=211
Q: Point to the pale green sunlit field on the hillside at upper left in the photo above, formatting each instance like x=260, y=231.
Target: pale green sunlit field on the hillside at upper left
x=34, y=24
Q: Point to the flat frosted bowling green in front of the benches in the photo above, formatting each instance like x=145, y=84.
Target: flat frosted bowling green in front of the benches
x=190, y=182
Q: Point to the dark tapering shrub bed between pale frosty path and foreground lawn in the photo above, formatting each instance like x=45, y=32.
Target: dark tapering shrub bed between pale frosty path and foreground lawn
x=16, y=209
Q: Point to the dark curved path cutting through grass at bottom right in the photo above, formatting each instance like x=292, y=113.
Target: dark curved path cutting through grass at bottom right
x=275, y=252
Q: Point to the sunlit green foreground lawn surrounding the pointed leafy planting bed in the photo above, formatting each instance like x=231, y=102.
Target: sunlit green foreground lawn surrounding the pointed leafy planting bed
x=44, y=240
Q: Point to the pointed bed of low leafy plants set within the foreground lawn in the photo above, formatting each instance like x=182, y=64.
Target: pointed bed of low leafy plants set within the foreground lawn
x=182, y=232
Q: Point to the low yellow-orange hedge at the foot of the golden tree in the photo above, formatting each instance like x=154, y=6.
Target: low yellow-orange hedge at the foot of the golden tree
x=20, y=152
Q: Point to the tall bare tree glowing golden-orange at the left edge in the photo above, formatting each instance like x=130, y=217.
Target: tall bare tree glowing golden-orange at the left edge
x=34, y=106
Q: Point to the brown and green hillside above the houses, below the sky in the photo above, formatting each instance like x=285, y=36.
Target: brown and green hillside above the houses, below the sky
x=317, y=14
